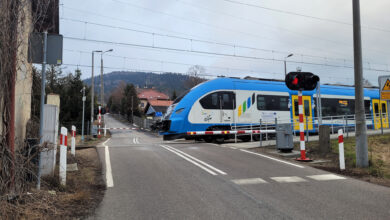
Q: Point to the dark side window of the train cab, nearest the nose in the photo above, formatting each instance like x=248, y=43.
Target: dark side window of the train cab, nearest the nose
x=219, y=100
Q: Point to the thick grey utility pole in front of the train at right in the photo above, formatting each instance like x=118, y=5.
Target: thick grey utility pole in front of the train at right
x=361, y=129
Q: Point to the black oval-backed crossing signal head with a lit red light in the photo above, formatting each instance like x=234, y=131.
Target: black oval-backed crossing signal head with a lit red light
x=301, y=81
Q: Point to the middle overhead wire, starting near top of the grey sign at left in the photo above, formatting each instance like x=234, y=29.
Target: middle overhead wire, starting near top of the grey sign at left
x=217, y=53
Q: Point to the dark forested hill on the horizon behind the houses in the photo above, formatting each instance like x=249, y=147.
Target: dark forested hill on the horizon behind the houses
x=164, y=82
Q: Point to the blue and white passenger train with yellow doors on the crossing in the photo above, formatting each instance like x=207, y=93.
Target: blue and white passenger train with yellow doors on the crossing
x=224, y=103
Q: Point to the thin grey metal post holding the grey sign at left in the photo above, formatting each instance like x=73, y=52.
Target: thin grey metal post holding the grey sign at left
x=42, y=113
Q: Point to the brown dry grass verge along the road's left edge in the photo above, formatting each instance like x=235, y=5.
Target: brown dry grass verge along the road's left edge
x=83, y=192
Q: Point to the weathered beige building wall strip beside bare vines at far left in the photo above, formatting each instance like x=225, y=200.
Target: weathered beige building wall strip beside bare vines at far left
x=23, y=82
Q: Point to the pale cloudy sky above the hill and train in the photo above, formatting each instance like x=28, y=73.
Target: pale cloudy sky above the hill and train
x=231, y=37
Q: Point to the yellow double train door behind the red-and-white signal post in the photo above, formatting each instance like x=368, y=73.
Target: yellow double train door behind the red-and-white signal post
x=307, y=112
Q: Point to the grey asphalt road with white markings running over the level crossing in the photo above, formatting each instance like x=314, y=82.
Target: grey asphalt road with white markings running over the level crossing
x=148, y=178
